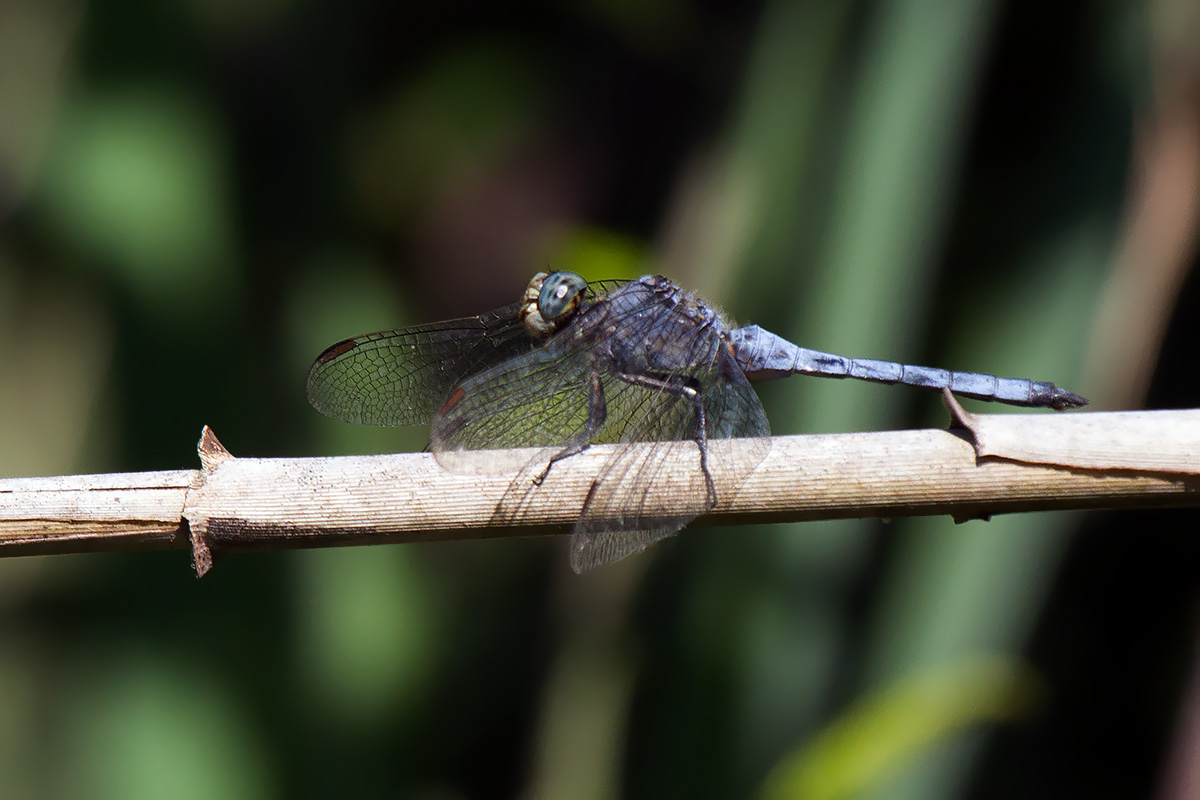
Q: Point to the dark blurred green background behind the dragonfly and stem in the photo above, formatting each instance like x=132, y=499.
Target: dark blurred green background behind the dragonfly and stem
x=197, y=197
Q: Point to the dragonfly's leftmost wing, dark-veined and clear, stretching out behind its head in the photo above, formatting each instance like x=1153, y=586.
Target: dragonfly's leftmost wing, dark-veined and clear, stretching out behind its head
x=403, y=377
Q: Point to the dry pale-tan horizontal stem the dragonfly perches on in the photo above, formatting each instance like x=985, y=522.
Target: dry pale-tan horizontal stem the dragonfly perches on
x=289, y=503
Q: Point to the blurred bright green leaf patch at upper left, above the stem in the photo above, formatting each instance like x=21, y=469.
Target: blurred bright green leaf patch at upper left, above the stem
x=136, y=182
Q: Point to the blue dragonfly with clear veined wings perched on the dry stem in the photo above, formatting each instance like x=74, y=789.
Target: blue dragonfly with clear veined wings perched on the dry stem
x=573, y=364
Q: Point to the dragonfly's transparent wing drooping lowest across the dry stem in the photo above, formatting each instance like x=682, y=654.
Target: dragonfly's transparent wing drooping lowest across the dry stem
x=615, y=522
